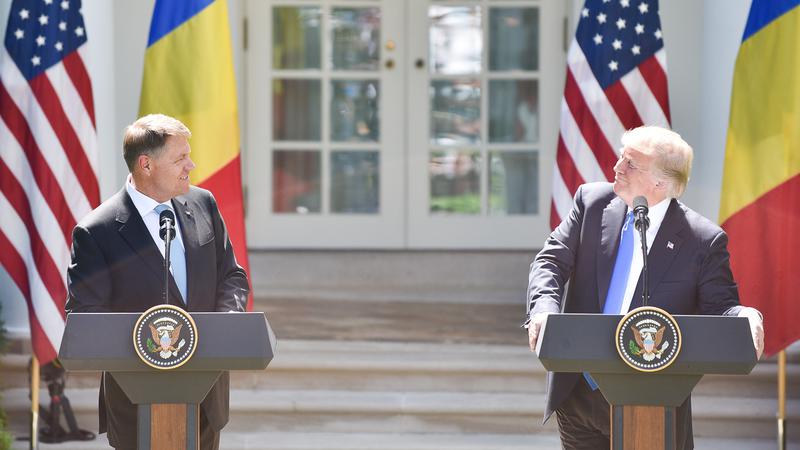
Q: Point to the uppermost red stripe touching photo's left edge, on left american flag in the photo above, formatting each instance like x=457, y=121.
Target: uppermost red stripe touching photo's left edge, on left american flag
x=45, y=180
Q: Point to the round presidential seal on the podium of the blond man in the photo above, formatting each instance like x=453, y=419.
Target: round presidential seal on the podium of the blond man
x=648, y=339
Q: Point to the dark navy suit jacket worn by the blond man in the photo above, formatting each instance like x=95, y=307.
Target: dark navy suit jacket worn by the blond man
x=688, y=265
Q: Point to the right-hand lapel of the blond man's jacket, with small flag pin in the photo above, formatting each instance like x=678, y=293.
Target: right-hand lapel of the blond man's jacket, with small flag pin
x=663, y=251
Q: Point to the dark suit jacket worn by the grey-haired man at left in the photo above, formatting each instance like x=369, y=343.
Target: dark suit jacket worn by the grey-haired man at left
x=116, y=267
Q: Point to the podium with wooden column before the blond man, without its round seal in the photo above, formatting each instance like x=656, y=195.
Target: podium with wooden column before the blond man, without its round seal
x=643, y=403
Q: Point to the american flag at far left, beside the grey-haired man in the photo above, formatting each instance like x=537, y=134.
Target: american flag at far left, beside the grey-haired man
x=48, y=154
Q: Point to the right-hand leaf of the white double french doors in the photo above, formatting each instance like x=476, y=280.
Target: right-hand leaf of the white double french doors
x=476, y=173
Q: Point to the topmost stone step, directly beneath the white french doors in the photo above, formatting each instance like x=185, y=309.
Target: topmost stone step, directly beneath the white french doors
x=484, y=276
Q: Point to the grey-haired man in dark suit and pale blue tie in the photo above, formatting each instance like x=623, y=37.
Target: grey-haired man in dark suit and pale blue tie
x=118, y=260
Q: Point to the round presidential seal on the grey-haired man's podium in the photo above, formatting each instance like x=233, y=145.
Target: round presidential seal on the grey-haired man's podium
x=165, y=337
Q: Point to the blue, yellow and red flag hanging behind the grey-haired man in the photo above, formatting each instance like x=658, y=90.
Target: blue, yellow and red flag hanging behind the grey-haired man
x=188, y=74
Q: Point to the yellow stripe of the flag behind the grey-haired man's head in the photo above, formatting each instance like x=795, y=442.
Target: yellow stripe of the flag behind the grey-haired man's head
x=189, y=75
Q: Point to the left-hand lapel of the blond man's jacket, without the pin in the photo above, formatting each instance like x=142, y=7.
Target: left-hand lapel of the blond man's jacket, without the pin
x=610, y=230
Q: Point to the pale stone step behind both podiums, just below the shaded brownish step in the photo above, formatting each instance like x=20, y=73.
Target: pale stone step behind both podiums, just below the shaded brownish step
x=352, y=365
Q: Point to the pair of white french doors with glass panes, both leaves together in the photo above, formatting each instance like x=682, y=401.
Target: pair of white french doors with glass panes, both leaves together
x=401, y=124
